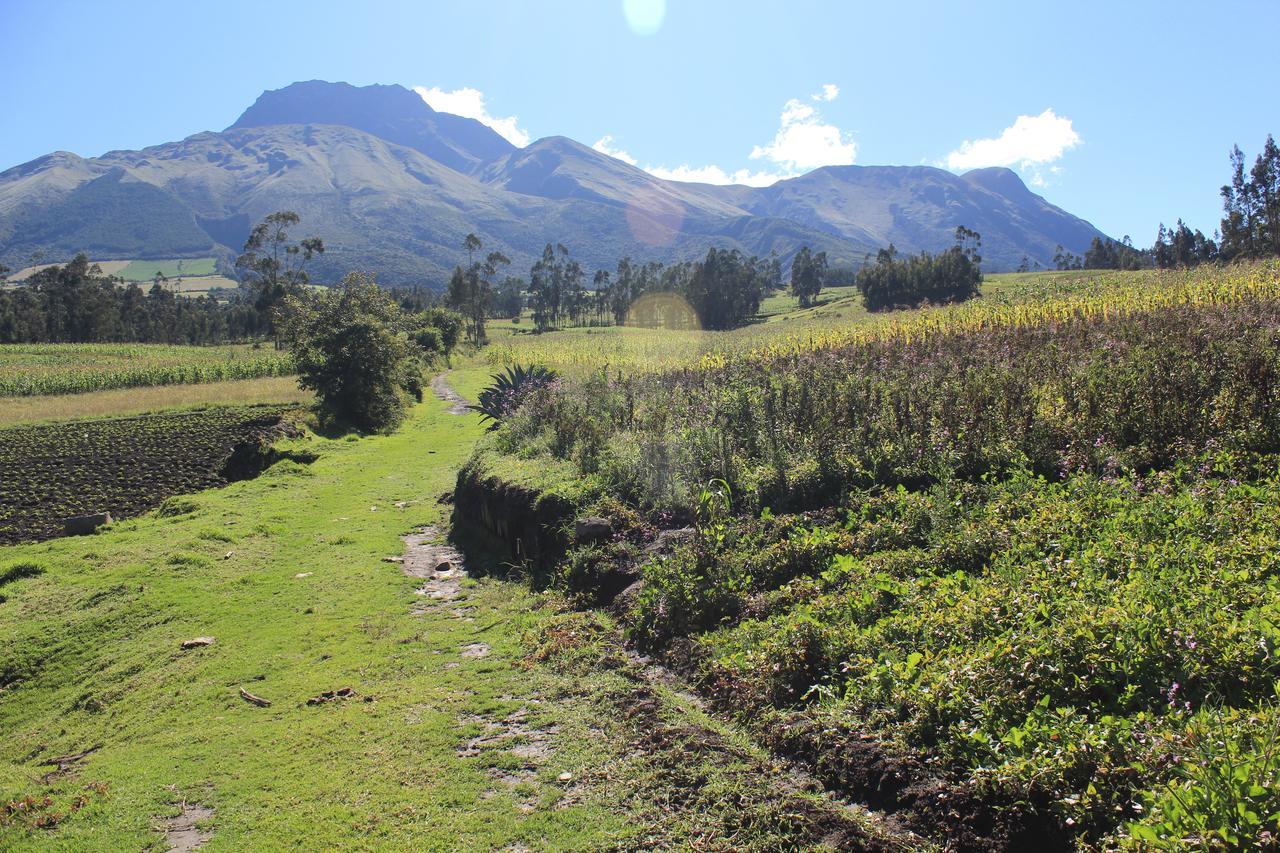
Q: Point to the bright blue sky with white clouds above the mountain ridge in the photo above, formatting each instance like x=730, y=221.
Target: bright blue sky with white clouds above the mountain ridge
x=1123, y=113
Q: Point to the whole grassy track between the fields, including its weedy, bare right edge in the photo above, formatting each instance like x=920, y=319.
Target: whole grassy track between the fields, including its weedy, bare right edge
x=449, y=745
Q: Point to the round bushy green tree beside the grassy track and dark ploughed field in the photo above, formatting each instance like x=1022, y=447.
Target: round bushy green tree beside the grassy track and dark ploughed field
x=351, y=348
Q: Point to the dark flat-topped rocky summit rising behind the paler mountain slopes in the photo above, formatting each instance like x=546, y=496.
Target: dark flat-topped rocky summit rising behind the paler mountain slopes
x=390, y=112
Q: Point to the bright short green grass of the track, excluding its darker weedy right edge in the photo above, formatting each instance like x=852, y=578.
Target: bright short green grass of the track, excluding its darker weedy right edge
x=95, y=640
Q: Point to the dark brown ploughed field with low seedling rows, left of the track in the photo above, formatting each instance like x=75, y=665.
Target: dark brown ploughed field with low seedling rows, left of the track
x=122, y=466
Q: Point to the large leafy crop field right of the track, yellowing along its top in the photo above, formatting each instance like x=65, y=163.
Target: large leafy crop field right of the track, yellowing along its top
x=1004, y=571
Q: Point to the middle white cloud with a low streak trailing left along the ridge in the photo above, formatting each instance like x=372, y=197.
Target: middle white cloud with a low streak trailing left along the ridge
x=803, y=143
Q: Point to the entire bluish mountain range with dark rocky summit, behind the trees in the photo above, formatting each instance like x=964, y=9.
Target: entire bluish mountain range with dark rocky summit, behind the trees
x=394, y=186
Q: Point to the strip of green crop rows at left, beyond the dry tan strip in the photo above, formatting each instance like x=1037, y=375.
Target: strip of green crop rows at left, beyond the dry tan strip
x=34, y=370
